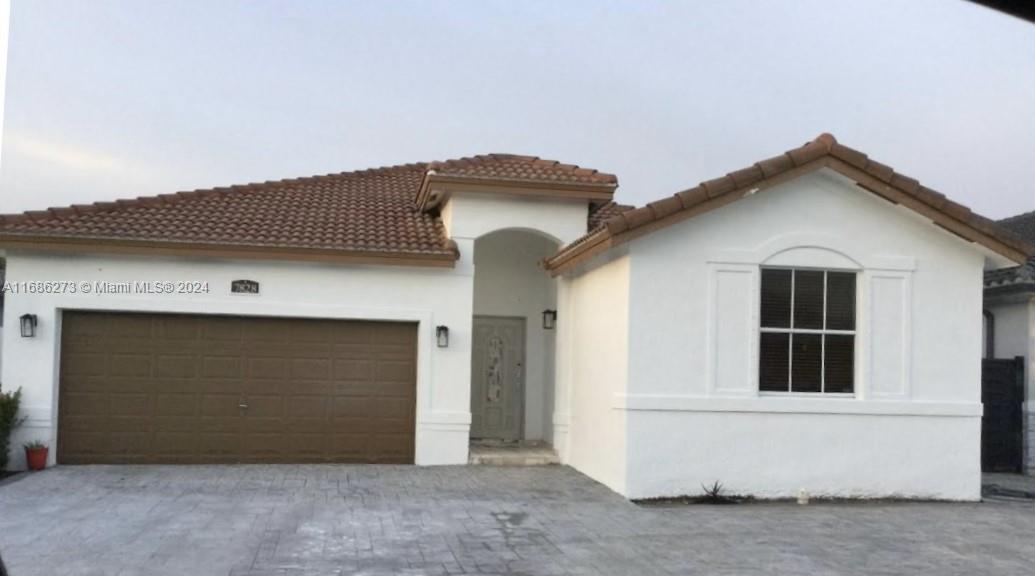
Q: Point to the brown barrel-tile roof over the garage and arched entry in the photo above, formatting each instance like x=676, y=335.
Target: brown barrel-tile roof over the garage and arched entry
x=369, y=211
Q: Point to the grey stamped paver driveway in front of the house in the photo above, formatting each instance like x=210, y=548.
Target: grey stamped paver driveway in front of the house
x=336, y=520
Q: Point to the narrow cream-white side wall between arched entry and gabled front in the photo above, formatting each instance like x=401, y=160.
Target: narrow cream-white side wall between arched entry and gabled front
x=594, y=324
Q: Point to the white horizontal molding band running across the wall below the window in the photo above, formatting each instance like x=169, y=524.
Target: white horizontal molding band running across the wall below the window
x=787, y=404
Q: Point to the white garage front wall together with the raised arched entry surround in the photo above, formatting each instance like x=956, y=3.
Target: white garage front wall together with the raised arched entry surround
x=428, y=296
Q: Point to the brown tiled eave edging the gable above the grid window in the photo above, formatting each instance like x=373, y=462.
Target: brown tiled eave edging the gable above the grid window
x=825, y=151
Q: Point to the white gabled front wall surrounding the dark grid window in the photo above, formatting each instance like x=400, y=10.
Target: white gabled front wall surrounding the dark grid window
x=695, y=415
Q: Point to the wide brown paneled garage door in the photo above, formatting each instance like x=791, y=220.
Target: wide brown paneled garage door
x=166, y=388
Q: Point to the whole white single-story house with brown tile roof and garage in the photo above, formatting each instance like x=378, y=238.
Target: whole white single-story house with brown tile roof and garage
x=810, y=323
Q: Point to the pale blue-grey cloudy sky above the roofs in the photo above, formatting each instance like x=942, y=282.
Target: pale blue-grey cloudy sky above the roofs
x=110, y=100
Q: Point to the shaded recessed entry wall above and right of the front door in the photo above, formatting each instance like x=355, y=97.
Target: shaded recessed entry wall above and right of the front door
x=510, y=282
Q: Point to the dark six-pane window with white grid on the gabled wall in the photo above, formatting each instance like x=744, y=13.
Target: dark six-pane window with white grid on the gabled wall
x=808, y=340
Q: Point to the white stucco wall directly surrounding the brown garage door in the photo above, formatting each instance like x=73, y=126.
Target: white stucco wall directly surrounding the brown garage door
x=430, y=297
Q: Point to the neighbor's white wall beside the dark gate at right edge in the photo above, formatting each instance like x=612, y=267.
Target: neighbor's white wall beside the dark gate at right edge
x=1015, y=336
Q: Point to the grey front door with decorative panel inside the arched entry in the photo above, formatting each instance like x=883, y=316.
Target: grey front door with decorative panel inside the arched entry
x=497, y=378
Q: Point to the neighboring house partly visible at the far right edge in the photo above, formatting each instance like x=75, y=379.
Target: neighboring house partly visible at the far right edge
x=1010, y=305
